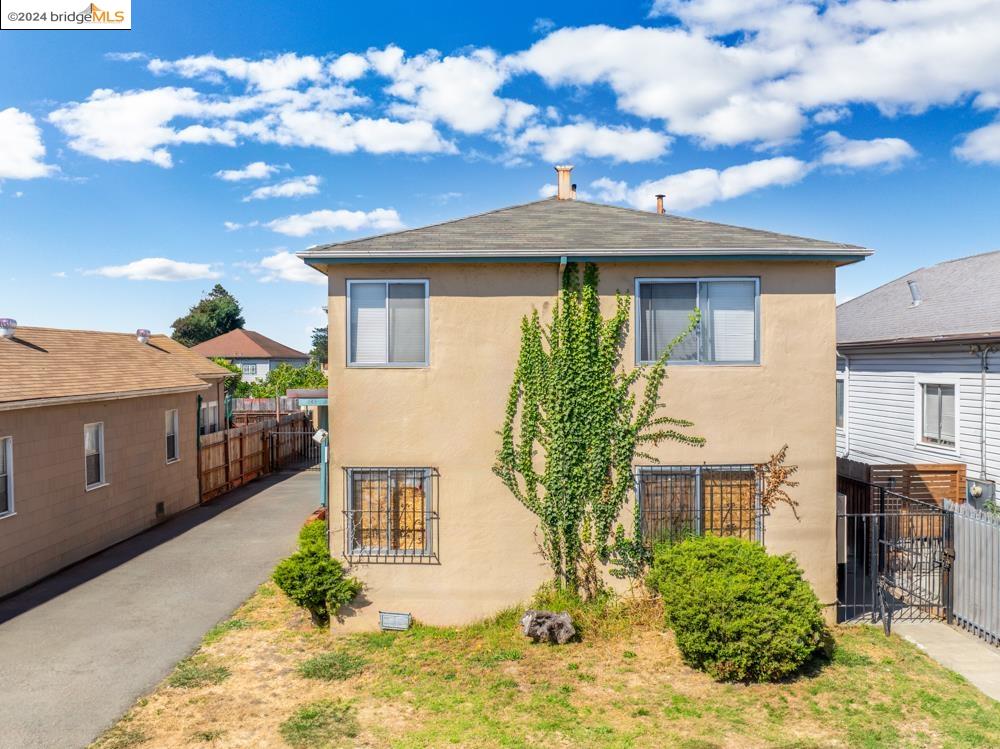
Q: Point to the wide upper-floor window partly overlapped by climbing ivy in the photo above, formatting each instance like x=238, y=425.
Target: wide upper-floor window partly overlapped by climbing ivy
x=727, y=332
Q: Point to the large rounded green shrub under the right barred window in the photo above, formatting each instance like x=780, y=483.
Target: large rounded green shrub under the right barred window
x=737, y=612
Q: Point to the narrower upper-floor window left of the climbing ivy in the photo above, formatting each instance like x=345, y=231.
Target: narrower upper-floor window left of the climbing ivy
x=387, y=323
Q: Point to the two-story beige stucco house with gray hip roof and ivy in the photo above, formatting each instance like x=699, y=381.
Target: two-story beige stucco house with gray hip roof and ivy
x=424, y=336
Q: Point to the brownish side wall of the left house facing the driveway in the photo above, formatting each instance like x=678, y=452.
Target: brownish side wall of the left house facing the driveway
x=57, y=521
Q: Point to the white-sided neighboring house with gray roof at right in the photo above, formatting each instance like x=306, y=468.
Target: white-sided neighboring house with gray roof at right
x=917, y=378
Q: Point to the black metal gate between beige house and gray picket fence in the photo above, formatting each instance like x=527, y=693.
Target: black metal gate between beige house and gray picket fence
x=894, y=556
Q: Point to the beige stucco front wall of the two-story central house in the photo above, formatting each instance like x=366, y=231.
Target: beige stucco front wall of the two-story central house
x=446, y=416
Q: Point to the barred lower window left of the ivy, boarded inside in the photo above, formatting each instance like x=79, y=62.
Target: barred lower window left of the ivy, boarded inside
x=390, y=514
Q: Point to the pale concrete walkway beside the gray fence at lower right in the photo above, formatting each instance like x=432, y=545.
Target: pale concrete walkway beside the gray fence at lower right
x=957, y=650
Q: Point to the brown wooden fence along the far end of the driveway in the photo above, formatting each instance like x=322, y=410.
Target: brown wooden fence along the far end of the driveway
x=232, y=457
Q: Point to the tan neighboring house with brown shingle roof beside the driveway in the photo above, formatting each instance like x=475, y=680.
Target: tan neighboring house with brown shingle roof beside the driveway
x=98, y=435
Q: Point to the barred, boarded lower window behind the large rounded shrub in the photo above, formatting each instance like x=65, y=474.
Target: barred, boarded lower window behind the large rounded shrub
x=676, y=502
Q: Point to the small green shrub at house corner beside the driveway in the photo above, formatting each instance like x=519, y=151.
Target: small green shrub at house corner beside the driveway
x=312, y=578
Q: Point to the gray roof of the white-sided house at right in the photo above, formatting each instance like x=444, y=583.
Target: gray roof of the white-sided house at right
x=959, y=299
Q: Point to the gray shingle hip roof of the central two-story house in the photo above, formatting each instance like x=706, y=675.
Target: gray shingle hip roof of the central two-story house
x=576, y=228
